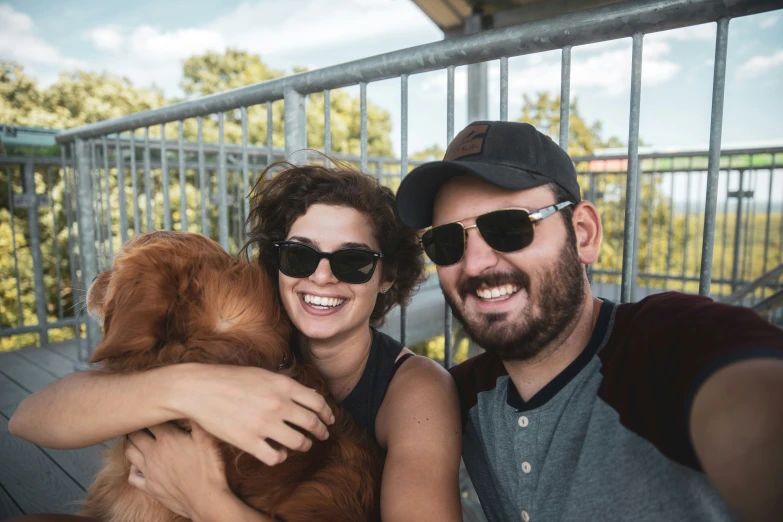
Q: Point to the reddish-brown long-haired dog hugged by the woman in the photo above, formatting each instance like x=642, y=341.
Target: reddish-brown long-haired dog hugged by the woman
x=176, y=297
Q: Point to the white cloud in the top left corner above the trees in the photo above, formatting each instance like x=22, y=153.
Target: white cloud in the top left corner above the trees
x=19, y=42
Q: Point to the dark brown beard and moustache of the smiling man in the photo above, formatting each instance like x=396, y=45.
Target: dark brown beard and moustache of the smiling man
x=559, y=298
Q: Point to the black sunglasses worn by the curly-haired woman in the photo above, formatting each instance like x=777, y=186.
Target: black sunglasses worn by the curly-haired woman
x=349, y=265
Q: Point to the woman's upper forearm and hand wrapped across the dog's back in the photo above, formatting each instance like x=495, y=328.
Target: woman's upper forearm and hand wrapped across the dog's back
x=240, y=405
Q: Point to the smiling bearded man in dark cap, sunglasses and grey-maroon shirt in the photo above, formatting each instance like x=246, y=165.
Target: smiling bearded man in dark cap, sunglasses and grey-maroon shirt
x=581, y=409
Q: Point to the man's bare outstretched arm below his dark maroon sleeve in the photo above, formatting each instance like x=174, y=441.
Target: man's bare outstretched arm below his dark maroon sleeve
x=736, y=426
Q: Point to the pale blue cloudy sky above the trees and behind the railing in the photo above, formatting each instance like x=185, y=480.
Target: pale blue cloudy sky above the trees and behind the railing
x=147, y=41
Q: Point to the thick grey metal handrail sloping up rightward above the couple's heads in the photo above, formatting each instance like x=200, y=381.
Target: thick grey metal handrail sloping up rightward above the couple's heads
x=613, y=21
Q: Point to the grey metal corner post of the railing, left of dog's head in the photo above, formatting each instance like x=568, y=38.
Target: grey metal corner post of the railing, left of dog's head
x=87, y=251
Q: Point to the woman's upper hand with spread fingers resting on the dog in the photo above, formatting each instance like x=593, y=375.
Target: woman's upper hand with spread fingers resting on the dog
x=244, y=406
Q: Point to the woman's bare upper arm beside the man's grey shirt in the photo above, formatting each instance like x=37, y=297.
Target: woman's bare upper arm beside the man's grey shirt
x=419, y=425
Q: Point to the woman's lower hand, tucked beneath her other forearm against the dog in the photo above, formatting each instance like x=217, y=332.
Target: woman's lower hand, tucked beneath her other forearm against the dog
x=182, y=471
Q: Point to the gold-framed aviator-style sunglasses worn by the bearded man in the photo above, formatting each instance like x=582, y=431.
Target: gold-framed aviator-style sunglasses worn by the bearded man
x=505, y=230
